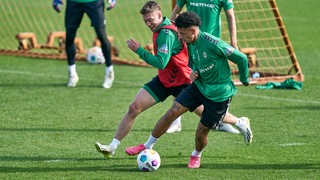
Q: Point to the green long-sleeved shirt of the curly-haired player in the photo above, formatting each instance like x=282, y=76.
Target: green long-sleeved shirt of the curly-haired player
x=209, y=57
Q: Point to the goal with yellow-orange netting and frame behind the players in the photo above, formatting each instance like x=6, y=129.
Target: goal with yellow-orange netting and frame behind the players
x=261, y=33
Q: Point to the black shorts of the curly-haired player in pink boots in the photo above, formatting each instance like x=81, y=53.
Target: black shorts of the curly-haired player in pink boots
x=213, y=112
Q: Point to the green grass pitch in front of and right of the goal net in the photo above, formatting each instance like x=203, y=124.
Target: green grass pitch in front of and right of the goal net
x=48, y=131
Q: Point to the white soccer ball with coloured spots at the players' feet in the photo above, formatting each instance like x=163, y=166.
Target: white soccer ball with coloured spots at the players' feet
x=148, y=160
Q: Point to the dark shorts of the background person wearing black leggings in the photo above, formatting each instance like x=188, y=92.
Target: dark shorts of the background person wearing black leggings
x=75, y=12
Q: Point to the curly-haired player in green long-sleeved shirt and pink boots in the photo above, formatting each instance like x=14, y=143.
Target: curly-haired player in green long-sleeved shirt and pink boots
x=212, y=87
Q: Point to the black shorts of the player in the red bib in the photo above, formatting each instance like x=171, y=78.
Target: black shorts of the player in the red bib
x=159, y=92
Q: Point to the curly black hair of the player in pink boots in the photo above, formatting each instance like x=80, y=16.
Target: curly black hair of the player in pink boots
x=187, y=19
